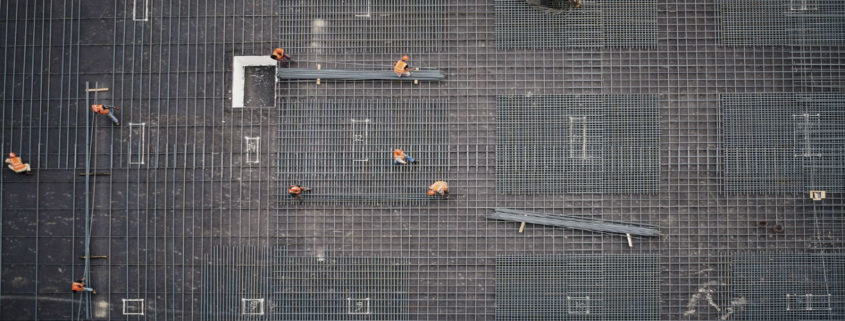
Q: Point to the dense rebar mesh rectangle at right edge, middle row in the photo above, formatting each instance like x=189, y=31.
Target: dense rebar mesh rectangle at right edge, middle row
x=784, y=142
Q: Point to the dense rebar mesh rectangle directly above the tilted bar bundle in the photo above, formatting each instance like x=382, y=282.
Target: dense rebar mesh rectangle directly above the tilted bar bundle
x=577, y=144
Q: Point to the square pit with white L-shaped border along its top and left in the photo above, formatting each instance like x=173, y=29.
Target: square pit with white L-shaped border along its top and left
x=257, y=79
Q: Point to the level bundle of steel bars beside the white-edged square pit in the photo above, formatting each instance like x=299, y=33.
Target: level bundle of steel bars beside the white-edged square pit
x=336, y=74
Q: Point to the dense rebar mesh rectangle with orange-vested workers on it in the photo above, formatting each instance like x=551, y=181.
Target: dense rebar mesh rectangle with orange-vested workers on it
x=343, y=149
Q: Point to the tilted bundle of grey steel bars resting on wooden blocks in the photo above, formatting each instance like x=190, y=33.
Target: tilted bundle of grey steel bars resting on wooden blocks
x=574, y=222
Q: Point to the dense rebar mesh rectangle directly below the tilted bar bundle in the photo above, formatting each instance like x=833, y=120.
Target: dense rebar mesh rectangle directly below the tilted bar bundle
x=598, y=287
